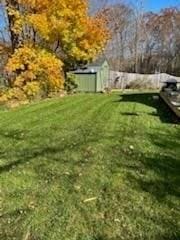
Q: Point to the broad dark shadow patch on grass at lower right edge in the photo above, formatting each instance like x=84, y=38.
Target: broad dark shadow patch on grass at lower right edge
x=165, y=180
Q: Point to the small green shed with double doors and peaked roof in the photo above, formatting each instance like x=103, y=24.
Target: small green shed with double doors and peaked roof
x=94, y=77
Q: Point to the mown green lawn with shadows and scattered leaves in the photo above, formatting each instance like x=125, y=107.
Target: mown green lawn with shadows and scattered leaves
x=90, y=167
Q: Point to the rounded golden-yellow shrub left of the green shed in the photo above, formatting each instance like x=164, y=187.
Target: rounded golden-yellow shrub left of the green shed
x=34, y=71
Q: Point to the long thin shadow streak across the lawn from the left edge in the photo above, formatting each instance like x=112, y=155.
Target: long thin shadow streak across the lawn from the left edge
x=81, y=137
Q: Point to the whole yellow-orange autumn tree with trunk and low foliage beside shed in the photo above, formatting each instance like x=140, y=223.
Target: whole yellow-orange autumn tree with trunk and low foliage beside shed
x=45, y=30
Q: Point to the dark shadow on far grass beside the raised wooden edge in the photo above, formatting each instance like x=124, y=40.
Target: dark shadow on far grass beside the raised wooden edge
x=163, y=112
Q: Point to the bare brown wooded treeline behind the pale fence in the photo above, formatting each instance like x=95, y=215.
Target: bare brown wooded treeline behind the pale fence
x=143, y=42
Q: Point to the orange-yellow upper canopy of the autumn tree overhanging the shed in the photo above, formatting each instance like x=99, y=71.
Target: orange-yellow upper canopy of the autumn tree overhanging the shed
x=82, y=37
